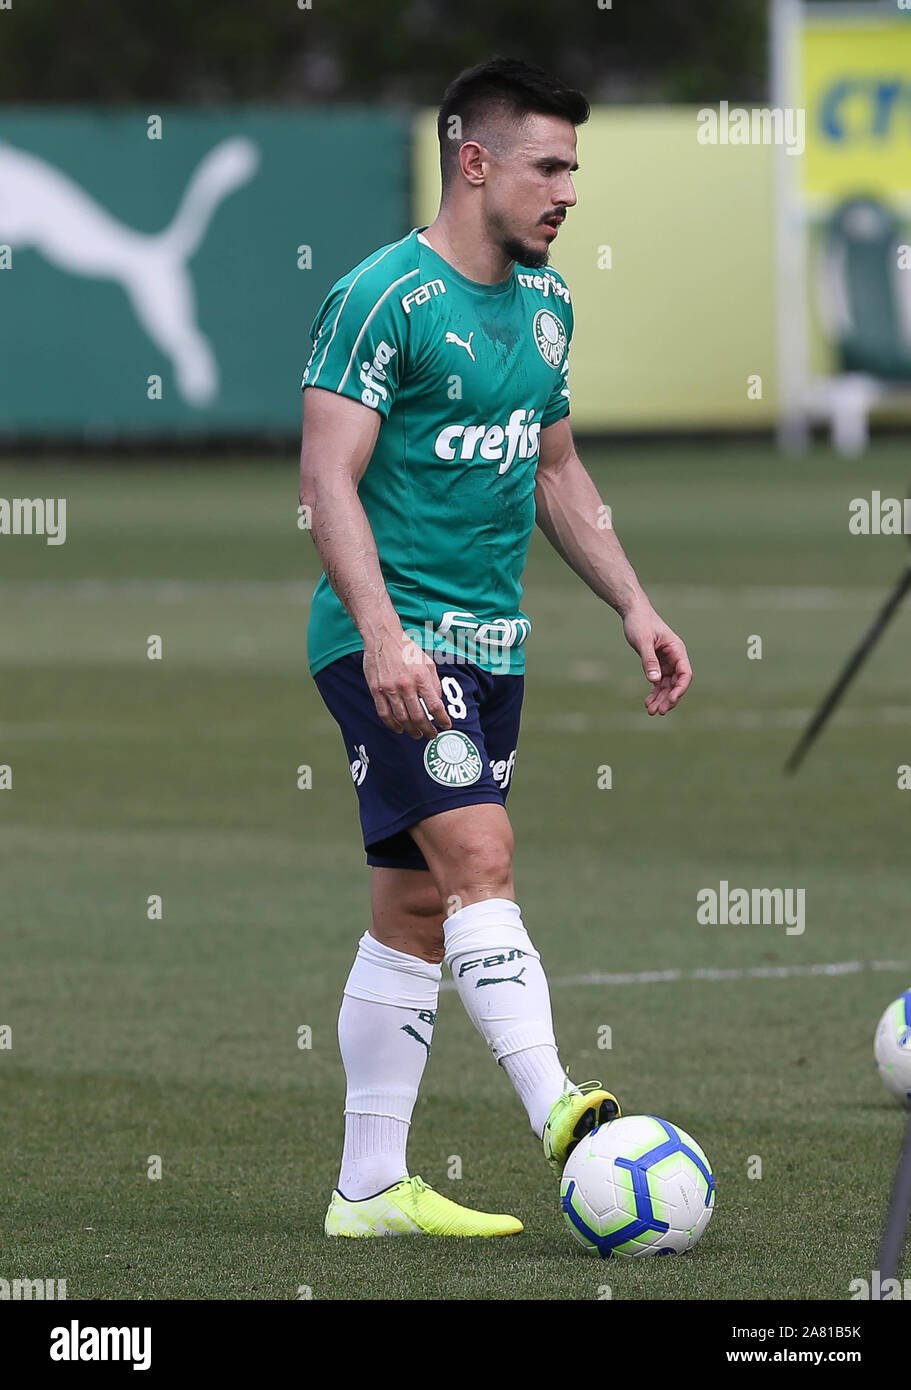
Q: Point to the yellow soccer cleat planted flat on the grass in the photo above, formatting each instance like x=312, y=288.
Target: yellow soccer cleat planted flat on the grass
x=412, y=1209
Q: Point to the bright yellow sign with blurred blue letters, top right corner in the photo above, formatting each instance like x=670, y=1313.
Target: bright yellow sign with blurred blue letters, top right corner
x=856, y=85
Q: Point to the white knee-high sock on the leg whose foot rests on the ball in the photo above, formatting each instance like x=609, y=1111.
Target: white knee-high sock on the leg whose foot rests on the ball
x=503, y=986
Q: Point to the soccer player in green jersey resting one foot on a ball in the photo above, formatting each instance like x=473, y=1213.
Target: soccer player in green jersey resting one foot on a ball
x=436, y=433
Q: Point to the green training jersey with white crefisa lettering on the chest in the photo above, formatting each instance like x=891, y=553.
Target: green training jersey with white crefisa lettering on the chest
x=465, y=377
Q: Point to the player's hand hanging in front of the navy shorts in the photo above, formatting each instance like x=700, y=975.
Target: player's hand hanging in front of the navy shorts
x=400, y=676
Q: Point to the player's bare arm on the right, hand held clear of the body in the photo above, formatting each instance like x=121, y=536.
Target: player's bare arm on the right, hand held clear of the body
x=572, y=516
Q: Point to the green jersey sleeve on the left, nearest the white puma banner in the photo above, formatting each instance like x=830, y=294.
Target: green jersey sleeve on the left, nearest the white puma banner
x=360, y=344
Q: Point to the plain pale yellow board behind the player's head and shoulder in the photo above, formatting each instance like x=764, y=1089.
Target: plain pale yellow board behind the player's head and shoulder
x=668, y=256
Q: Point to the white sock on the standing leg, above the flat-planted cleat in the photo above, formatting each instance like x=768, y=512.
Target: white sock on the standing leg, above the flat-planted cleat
x=385, y=1033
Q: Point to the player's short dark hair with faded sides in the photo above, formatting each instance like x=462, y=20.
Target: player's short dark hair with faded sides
x=500, y=88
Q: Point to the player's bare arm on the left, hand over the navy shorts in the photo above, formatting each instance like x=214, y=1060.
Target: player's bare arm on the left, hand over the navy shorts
x=340, y=436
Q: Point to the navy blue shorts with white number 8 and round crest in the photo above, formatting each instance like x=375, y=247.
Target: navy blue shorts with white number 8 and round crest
x=403, y=780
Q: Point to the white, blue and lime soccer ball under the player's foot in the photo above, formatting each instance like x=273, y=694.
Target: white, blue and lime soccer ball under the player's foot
x=638, y=1186
